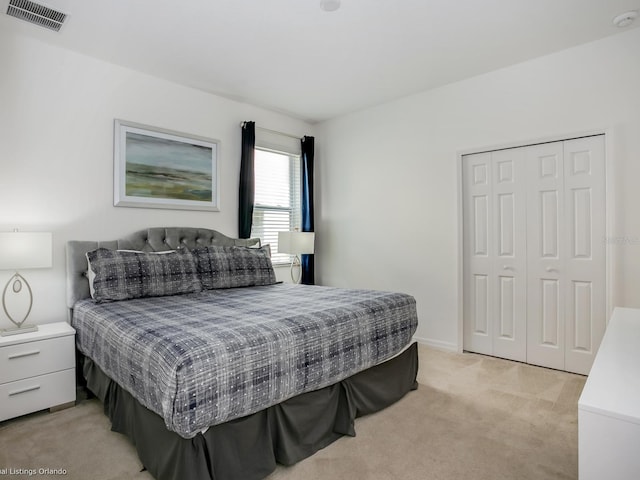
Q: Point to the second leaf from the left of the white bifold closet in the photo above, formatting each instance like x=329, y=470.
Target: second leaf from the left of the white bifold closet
x=509, y=240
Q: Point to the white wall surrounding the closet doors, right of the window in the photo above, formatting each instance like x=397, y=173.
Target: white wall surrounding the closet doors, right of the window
x=387, y=176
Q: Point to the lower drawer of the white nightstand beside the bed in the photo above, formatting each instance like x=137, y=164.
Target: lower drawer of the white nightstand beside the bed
x=37, y=393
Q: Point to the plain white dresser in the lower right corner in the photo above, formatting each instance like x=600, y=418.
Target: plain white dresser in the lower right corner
x=609, y=407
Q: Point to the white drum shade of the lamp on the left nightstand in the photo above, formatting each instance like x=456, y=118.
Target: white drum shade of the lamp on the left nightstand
x=20, y=250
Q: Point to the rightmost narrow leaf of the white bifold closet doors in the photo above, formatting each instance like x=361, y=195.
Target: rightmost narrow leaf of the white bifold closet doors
x=585, y=314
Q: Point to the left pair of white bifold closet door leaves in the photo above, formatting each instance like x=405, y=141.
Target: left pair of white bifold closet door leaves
x=495, y=253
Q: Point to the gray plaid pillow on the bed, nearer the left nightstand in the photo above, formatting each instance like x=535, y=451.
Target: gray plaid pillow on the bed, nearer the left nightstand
x=125, y=274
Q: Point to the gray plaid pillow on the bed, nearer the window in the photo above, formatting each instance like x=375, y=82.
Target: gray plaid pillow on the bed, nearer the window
x=229, y=267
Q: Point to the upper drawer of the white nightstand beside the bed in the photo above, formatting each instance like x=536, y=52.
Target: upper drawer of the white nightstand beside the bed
x=30, y=359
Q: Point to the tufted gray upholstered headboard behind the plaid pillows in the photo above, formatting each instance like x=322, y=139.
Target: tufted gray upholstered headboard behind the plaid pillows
x=149, y=240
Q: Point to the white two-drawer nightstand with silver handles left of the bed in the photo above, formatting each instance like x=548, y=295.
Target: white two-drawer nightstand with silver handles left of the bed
x=37, y=370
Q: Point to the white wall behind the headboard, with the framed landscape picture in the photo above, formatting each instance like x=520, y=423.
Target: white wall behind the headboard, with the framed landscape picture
x=56, y=151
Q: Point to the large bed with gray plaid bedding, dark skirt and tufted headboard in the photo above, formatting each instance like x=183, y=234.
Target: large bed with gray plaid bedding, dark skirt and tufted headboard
x=226, y=375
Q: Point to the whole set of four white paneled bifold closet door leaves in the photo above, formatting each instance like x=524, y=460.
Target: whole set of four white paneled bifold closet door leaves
x=534, y=252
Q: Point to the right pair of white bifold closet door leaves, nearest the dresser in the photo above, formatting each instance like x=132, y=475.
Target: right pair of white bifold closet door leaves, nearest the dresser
x=566, y=253
